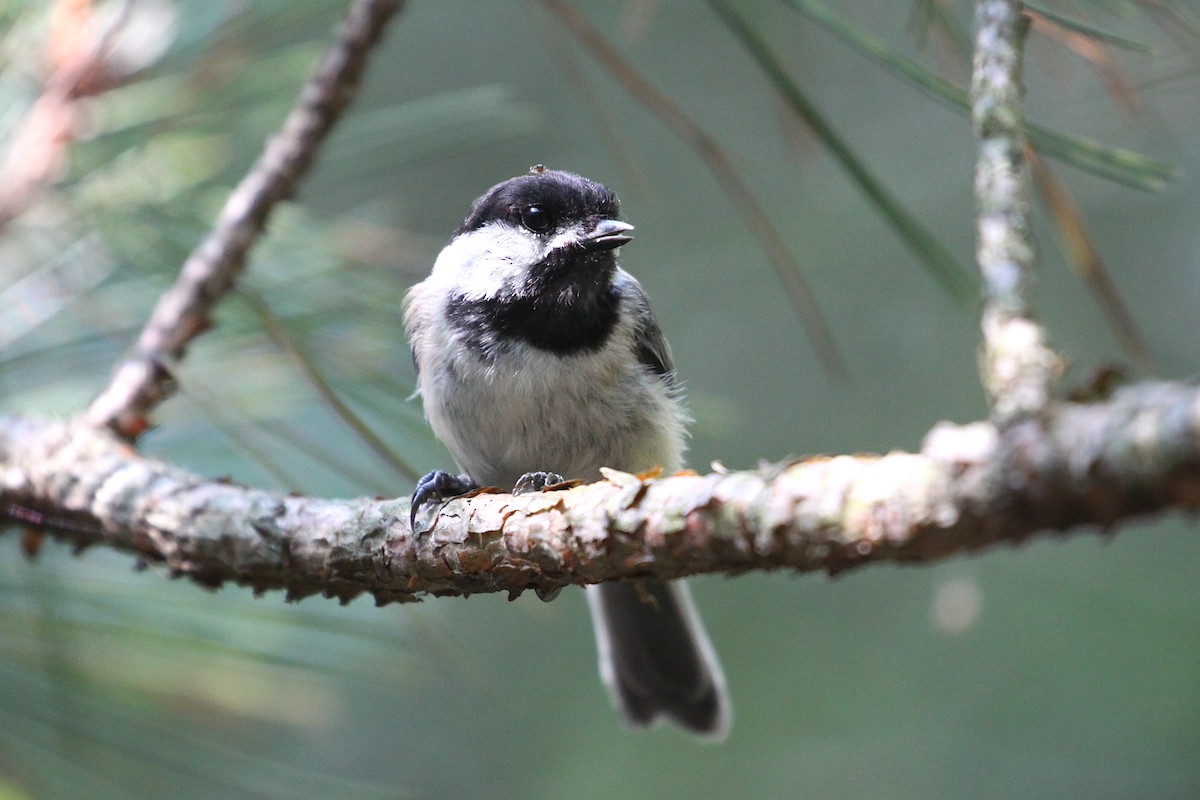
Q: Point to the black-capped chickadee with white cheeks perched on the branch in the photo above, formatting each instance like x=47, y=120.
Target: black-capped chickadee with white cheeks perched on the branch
x=536, y=352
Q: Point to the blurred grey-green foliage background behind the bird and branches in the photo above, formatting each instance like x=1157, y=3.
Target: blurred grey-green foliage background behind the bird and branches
x=1059, y=670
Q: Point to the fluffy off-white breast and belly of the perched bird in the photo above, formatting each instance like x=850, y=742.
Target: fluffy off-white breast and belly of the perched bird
x=535, y=411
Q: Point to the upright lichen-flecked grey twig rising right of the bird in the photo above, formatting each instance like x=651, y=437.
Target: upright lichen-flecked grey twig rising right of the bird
x=1019, y=369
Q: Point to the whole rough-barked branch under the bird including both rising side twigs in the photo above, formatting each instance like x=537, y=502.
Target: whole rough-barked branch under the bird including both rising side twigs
x=1039, y=465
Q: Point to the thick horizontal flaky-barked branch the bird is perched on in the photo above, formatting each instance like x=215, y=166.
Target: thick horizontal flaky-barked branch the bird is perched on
x=969, y=489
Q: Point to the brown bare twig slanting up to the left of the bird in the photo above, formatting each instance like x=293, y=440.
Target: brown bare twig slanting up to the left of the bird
x=140, y=383
